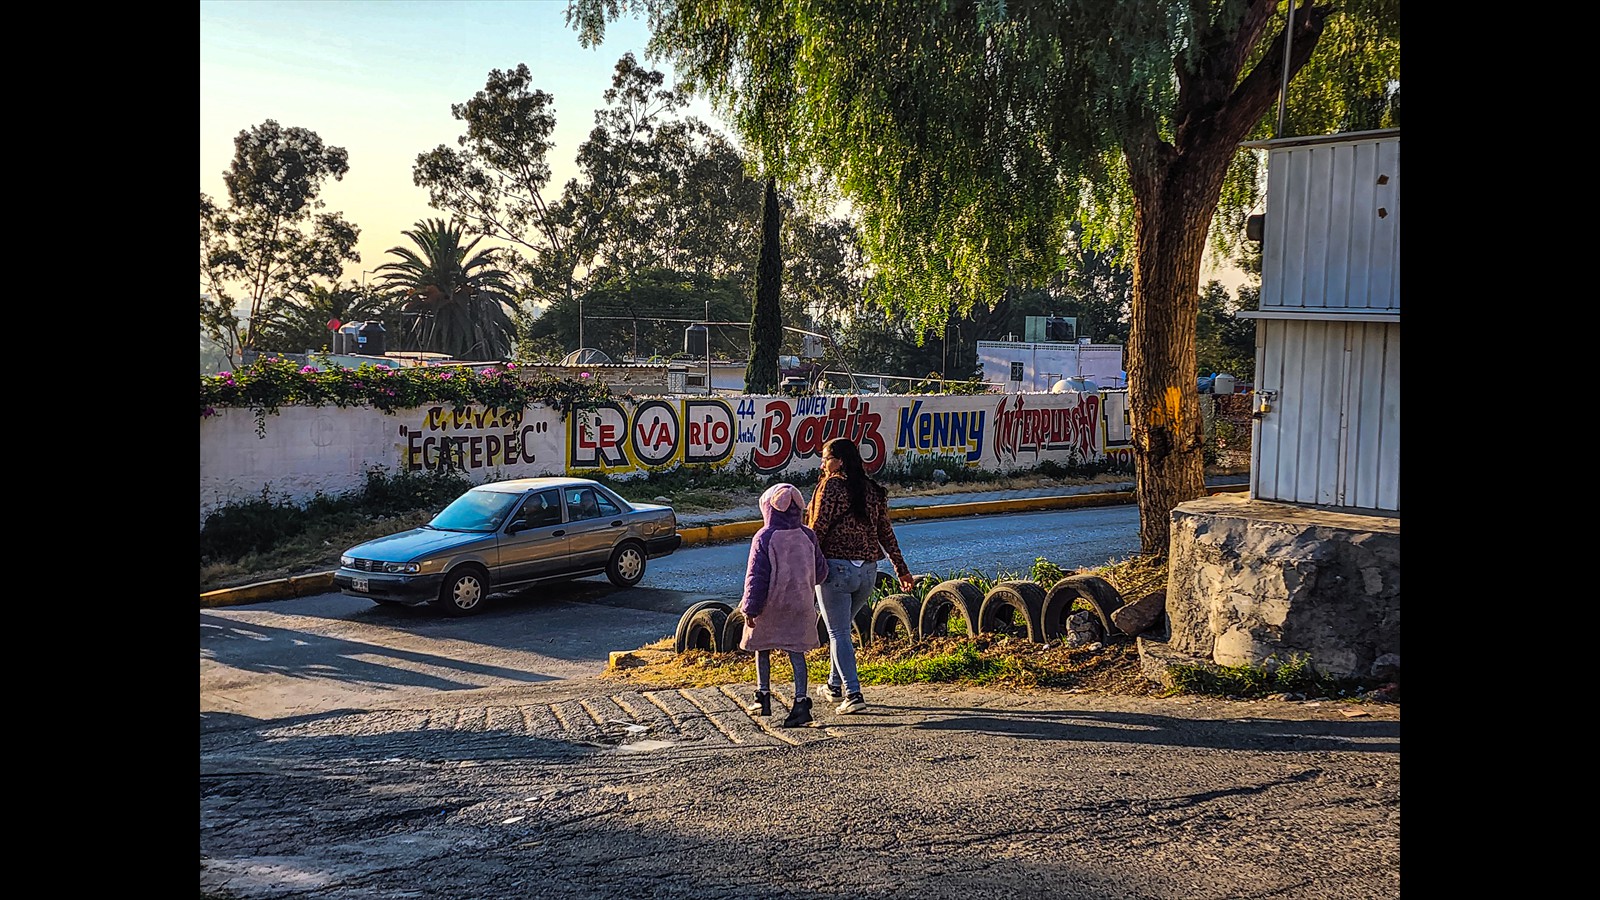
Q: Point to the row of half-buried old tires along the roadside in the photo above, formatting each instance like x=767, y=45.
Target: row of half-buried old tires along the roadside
x=956, y=608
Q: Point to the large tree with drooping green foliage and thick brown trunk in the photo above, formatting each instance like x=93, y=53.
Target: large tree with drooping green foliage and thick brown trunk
x=972, y=135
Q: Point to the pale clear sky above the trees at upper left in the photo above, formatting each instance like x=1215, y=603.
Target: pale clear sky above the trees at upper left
x=378, y=78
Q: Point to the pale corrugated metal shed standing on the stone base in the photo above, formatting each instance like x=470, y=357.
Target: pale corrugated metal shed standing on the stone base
x=1327, y=395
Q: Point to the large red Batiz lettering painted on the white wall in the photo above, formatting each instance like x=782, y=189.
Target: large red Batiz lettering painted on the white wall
x=785, y=436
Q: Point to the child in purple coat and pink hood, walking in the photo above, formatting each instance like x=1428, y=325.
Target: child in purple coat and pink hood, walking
x=780, y=598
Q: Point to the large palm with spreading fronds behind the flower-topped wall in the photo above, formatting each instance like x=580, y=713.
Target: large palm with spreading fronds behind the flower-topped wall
x=454, y=294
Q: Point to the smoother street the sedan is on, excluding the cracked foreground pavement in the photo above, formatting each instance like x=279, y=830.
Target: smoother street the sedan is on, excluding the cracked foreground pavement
x=334, y=651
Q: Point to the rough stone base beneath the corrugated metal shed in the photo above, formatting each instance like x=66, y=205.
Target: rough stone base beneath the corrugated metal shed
x=1250, y=581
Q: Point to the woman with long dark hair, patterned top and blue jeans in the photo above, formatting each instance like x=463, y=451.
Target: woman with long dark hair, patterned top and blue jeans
x=850, y=515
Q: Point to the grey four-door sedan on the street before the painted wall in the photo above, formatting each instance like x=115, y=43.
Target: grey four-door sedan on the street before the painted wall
x=508, y=536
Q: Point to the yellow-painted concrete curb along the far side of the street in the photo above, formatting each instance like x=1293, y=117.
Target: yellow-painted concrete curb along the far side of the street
x=322, y=582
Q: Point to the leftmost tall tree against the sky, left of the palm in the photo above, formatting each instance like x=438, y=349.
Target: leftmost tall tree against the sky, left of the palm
x=270, y=241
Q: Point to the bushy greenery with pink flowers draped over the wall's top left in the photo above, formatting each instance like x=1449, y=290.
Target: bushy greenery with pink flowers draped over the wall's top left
x=273, y=382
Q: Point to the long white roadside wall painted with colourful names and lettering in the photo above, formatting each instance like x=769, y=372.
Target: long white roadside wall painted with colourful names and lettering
x=310, y=451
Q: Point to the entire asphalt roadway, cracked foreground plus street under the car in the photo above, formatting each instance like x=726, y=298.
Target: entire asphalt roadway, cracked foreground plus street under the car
x=353, y=752
